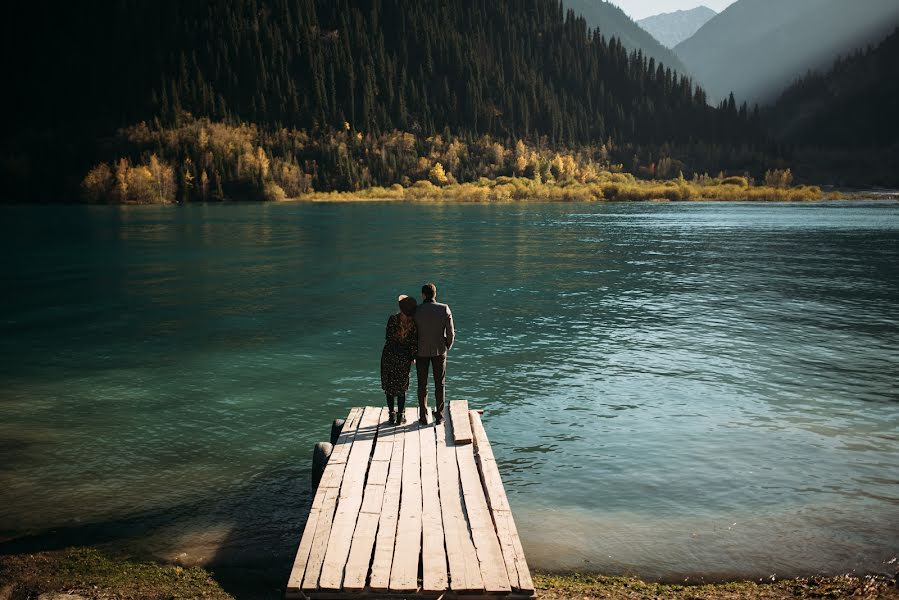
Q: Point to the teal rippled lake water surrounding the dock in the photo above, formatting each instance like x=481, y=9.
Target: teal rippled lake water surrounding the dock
x=672, y=390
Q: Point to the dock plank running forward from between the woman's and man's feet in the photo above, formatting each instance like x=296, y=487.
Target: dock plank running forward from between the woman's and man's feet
x=407, y=548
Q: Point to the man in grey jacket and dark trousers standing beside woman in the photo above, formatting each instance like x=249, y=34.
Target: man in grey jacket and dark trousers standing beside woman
x=435, y=338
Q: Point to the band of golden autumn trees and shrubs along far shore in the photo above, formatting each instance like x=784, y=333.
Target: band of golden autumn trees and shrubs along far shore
x=196, y=159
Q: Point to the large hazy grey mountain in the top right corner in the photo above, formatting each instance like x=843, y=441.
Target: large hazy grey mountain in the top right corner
x=755, y=48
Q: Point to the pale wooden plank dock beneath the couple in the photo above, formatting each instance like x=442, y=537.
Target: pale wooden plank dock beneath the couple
x=410, y=511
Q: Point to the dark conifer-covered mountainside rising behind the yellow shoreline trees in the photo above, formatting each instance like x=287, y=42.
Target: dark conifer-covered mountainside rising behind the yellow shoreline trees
x=511, y=70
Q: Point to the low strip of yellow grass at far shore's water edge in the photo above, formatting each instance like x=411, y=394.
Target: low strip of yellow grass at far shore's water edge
x=614, y=187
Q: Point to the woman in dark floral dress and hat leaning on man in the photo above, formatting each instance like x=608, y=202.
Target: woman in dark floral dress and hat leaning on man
x=400, y=348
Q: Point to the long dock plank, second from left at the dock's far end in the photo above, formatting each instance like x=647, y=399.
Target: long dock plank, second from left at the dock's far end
x=350, y=500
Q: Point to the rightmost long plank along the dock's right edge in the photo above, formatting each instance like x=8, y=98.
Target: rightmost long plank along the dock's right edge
x=507, y=533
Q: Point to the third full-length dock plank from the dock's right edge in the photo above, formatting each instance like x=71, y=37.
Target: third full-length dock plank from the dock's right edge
x=464, y=569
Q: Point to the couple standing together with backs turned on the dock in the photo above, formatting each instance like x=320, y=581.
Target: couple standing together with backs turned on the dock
x=419, y=333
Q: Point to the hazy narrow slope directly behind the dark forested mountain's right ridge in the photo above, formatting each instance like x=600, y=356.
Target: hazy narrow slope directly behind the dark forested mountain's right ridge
x=613, y=22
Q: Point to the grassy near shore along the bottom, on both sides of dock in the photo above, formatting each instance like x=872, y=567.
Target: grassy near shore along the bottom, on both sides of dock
x=89, y=573
